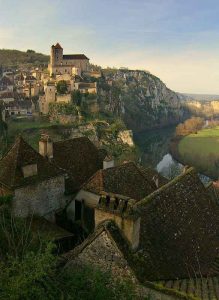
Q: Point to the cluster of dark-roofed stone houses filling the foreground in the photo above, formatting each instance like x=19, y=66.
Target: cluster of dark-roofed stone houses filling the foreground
x=143, y=227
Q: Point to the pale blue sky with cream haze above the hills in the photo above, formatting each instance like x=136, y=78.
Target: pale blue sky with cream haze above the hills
x=176, y=40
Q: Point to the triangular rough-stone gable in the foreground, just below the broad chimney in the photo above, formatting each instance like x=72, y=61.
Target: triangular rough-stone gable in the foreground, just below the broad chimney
x=101, y=250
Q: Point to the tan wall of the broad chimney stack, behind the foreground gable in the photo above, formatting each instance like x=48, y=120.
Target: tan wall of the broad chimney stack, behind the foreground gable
x=129, y=227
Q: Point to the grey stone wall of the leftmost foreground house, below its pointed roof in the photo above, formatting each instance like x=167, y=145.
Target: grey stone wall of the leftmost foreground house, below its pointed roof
x=41, y=199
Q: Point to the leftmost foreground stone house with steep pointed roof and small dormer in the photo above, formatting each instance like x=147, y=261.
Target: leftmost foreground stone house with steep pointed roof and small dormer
x=36, y=184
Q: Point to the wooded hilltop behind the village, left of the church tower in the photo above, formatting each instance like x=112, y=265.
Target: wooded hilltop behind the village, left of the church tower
x=14, y=58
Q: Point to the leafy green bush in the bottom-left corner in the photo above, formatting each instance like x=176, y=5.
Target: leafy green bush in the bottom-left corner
x=23, y=278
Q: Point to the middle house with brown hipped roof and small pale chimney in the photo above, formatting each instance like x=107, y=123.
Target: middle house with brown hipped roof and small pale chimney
x=120, y=182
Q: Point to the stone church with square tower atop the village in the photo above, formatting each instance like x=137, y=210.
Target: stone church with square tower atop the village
x=73, y=64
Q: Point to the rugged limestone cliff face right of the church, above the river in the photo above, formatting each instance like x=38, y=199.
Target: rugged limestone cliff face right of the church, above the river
x=141, y=99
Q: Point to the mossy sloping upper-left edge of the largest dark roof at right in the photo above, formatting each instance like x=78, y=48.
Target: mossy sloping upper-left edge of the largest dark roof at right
x=168, y=184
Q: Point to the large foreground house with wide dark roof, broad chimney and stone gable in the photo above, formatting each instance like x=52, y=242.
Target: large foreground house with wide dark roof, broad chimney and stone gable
x=175, y=245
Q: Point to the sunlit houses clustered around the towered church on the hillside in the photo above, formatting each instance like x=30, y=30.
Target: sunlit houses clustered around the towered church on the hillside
x=27, y=92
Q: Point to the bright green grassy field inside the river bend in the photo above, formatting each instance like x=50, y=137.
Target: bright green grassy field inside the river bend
x=200, y=150
